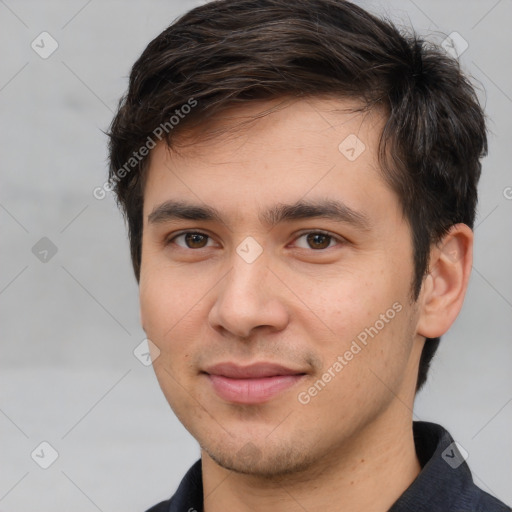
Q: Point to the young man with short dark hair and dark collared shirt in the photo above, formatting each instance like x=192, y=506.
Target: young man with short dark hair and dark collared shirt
x=299, y=181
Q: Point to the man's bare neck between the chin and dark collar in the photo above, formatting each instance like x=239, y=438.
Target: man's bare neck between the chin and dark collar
x=369, y=472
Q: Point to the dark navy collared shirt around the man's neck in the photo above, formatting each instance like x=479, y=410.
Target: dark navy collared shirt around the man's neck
x=443, y=485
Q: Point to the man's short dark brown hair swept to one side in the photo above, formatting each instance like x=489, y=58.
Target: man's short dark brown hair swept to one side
x=231, y=51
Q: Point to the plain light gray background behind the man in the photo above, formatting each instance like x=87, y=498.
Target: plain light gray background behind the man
x=69, y=326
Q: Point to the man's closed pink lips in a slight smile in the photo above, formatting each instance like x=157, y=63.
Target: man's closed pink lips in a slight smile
x=257, y=383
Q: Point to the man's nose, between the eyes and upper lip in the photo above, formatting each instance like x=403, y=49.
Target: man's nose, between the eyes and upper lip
x=250, y=297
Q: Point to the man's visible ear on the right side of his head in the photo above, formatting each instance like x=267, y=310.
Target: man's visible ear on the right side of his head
x=445, y=286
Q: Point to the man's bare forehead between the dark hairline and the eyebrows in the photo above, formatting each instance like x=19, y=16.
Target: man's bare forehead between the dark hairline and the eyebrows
x=280, y=151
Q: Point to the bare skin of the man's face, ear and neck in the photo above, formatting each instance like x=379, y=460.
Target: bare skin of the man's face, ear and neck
x=300, y=304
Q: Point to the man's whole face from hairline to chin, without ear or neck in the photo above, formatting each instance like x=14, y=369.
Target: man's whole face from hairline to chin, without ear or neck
x=275, y=283
